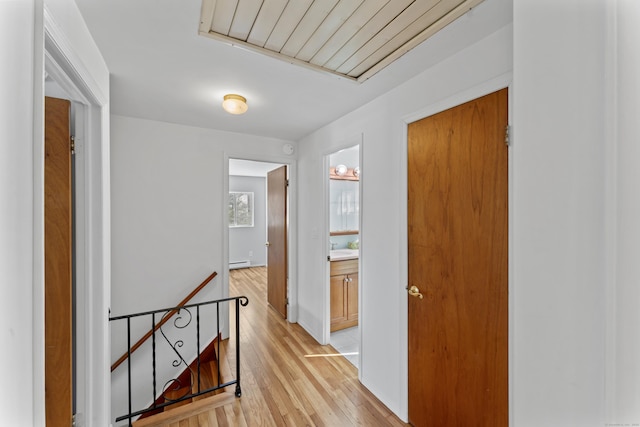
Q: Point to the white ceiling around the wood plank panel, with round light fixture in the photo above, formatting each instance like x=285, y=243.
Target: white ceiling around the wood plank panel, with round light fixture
x=161, y=69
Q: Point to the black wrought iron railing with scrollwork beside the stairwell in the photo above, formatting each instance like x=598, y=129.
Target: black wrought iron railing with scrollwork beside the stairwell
x=169, y=344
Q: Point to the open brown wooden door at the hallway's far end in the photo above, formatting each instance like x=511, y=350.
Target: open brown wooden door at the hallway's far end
x=277, y=239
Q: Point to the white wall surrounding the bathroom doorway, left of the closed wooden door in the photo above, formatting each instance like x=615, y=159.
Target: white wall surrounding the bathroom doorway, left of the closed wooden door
x=383, y=236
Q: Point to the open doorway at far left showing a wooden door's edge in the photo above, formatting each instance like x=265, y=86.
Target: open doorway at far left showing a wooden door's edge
x=62, y=246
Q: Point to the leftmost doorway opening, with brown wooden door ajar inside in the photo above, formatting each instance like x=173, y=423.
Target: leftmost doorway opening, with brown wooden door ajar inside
x=66, y=254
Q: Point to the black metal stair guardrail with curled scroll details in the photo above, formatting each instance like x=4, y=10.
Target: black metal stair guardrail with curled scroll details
x=191, y=378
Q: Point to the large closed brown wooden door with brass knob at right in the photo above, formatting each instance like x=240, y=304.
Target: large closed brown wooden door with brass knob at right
x=458, y=258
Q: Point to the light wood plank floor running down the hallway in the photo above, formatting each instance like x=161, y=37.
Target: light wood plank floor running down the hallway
x=287, y=378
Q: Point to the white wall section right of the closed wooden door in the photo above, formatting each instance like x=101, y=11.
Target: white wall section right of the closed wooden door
x=560, y=214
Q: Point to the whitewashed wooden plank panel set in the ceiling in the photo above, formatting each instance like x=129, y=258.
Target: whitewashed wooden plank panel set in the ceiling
x=351, y=38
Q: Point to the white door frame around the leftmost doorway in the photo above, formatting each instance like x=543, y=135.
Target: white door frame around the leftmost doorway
x=65, y=65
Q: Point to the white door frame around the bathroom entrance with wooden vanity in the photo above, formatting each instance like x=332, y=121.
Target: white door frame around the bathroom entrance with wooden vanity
x=326, y=292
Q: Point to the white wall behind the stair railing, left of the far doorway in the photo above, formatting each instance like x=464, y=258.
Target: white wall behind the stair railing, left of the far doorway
x=169, y=207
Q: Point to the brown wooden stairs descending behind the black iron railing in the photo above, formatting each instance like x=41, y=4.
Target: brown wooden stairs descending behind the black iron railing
x=212, y=358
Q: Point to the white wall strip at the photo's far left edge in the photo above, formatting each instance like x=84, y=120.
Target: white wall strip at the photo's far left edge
x=17, y=44
